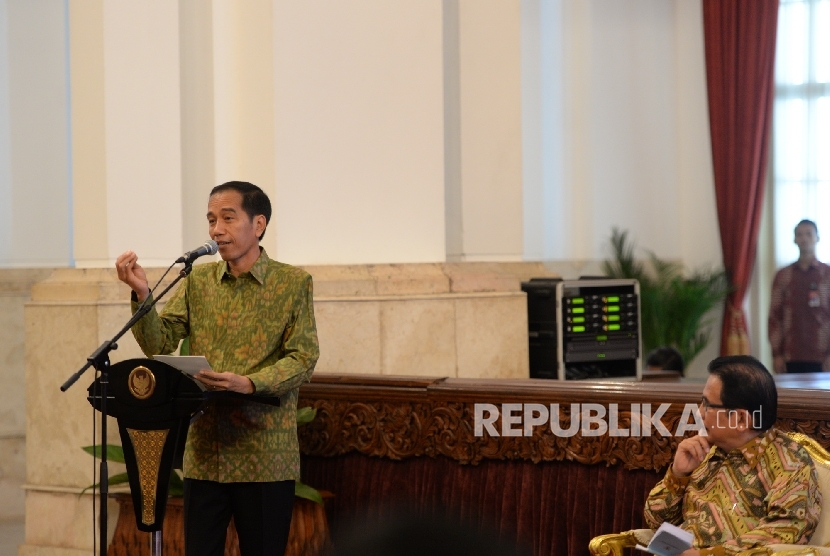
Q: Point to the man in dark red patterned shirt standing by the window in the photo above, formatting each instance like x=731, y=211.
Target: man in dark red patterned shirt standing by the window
x=799, y=317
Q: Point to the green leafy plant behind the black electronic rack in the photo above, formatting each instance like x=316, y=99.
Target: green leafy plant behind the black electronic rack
x=673, y=304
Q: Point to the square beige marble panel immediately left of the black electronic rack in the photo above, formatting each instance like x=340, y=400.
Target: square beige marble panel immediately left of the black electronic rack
x=491, y=336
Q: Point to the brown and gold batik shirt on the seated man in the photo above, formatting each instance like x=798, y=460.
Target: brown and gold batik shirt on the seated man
x=765, y=492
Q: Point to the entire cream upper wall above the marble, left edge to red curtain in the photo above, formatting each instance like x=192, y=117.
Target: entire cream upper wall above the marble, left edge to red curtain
x=385, y=132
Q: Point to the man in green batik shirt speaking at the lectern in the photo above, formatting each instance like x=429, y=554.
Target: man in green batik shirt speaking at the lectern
x=253, y=319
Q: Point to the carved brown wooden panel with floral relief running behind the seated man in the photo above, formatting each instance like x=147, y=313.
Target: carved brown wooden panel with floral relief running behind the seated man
x=401, y=418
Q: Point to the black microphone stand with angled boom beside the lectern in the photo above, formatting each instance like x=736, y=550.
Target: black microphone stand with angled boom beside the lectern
x=101, y=361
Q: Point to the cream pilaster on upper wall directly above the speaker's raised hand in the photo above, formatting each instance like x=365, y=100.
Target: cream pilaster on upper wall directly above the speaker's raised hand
x=126, y=141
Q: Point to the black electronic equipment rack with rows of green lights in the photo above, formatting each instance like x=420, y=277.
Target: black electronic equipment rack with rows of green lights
x=584, y=329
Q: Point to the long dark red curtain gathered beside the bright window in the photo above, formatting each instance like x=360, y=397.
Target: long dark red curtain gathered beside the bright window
x=739, y=38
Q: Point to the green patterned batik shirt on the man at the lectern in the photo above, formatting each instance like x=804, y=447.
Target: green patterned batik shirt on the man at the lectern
x=260, y=325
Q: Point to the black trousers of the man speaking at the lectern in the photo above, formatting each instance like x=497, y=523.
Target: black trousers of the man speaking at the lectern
x=261, y=514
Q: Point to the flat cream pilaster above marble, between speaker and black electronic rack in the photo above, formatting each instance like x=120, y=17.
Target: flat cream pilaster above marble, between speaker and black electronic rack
x=483, y=100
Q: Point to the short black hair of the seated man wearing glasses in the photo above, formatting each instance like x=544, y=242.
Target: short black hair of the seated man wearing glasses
x=747, y=384
